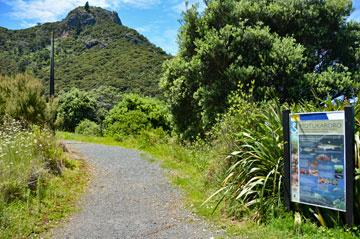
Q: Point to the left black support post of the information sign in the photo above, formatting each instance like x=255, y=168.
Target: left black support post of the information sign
x=286, y=134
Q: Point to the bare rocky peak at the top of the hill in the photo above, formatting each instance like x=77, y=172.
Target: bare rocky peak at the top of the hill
x=80, y=17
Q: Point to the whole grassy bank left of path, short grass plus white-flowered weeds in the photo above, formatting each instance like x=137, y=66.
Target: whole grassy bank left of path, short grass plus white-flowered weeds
x=39, y=183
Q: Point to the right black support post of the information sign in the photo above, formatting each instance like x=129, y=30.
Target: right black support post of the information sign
x=349, y=154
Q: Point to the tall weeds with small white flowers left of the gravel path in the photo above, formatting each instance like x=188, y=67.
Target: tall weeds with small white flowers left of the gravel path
x=27, y=160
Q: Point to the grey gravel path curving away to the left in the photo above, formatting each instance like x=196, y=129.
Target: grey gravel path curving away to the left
x=129, y=197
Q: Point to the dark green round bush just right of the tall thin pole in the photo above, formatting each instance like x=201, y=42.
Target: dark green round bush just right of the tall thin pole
x=74, y=107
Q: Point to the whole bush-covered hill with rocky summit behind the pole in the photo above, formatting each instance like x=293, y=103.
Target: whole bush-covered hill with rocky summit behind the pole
x=92, y=48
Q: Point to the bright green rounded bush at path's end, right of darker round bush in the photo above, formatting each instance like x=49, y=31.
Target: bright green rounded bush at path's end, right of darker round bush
x=134, y=114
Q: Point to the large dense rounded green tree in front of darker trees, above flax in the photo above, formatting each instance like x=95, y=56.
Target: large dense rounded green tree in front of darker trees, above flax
x=197, y=89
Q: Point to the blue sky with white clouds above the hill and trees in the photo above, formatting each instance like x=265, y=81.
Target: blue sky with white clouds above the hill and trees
x=158, y=20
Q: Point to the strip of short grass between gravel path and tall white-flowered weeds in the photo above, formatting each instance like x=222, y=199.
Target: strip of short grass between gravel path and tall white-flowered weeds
x=31, y=218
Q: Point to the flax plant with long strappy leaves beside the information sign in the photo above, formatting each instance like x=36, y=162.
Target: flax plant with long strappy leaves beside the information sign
x=253, y=179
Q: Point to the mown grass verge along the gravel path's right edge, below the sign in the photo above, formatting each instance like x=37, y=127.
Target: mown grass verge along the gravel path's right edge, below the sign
x=188, y=167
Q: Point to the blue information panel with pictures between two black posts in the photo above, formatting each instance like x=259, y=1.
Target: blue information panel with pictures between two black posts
x=317, y=161
